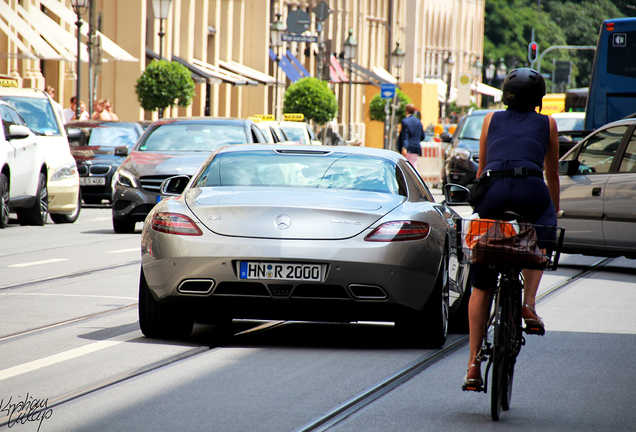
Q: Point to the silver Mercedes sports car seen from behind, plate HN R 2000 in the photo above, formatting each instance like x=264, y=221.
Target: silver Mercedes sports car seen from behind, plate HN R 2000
x=338, y=234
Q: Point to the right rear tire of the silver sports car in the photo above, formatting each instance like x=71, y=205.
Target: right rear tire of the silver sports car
x=429, y=327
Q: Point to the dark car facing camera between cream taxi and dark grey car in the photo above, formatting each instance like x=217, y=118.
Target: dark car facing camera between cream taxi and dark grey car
x=96, y=146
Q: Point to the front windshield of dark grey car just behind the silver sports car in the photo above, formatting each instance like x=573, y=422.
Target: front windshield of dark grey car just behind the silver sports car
x=200, y=137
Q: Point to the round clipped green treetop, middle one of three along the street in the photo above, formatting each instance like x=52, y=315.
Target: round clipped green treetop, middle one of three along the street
x=313, y=98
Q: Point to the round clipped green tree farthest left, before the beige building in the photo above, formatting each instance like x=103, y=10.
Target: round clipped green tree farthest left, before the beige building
x=164, y=84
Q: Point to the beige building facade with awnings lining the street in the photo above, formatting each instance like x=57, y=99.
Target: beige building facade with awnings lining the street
x=226, y=45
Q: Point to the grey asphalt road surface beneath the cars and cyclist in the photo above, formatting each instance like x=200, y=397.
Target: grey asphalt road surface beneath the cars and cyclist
x=69, y=333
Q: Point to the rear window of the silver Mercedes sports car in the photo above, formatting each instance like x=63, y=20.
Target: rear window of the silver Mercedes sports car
x=317, y=170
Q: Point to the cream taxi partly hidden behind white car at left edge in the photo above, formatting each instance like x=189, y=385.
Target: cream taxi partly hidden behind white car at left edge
x=36, y=108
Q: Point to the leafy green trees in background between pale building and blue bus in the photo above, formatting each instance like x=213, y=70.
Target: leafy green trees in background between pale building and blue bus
x=509, y=24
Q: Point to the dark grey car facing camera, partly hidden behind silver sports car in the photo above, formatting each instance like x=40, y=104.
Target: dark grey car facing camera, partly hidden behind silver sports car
x=170, y=147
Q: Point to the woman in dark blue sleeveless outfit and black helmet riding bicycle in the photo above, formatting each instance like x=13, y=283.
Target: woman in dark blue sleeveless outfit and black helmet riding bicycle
x=519, y=143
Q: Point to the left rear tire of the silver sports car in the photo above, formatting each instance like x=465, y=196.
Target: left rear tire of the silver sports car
x=158, y=320
